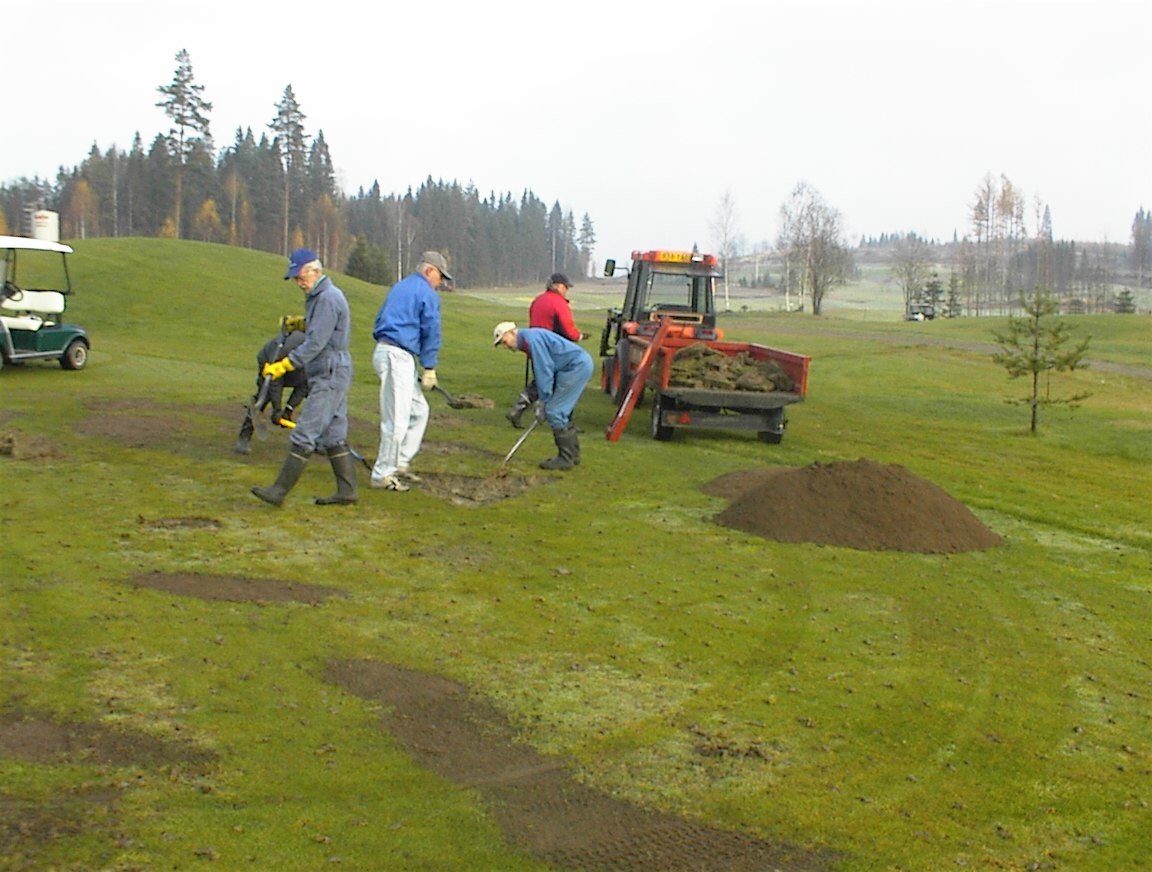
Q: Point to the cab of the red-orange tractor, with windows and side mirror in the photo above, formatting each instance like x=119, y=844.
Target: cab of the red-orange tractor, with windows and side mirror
x=673, y=286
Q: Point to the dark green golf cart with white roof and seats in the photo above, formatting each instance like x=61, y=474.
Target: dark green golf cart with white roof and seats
x=33, y=301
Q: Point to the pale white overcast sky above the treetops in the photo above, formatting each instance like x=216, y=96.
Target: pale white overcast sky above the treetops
x=641, y=115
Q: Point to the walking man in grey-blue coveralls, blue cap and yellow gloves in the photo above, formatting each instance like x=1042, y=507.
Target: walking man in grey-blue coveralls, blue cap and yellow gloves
x=323, y=426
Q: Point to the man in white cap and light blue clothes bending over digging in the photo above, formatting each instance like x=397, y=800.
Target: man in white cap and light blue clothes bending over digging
x=563, y=370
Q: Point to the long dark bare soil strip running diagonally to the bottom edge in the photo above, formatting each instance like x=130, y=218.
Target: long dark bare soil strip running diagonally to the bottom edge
x=543, y=810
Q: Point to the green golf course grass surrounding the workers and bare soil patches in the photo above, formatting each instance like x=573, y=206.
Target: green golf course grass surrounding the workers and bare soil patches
x=984, y=710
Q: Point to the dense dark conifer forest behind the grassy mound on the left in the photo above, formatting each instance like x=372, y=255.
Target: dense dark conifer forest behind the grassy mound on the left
x=278, y=192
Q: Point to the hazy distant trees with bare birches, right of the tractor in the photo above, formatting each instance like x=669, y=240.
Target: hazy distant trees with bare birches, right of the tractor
x=983, y=272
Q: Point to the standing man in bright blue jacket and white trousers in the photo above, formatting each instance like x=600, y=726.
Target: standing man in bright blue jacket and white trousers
x=407, y=335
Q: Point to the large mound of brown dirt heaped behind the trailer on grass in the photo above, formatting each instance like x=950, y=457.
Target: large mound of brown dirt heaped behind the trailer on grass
x=860, y=505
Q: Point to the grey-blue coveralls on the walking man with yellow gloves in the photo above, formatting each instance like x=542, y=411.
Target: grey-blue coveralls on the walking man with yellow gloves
x=324, y=355
